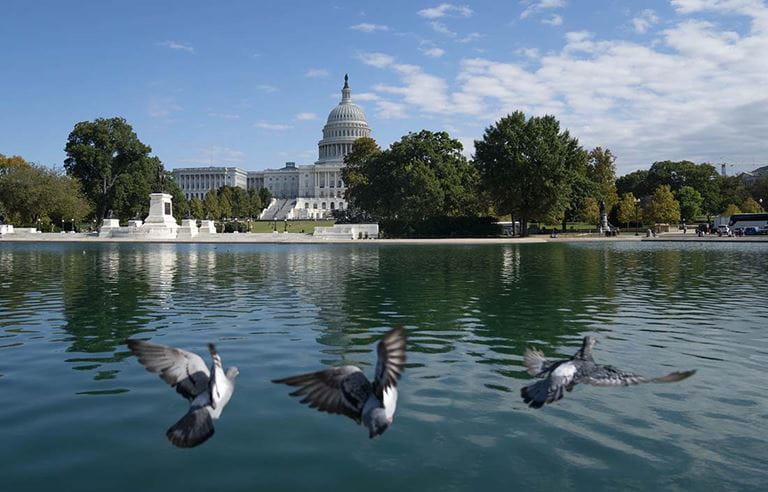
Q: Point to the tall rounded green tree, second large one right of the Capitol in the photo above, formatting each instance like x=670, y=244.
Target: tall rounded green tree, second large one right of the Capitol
x=527, y=166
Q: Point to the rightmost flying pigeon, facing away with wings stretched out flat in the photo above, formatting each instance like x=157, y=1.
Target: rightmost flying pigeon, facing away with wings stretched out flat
x=581, y=368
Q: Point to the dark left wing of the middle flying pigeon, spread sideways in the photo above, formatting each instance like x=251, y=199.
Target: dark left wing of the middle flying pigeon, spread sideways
x=341, y=390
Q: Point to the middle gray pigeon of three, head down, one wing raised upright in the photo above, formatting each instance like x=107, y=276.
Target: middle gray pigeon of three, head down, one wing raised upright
x=346, y=391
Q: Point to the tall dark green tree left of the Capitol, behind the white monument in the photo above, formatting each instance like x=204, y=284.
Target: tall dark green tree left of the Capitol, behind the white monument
x=105, y=155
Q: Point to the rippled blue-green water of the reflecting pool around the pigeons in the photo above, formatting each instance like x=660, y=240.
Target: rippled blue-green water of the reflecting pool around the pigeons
x=78, y=412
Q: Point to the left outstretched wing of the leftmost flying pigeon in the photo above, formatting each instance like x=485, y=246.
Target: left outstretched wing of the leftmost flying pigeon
x=183, y=370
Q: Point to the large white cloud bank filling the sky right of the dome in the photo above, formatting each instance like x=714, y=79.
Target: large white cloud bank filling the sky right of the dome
x=697, y=92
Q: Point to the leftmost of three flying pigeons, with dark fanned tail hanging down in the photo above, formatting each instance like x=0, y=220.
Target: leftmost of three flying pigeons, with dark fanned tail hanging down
x=208, y=391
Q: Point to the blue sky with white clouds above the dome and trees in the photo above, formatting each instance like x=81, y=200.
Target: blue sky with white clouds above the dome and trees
x=250, y=83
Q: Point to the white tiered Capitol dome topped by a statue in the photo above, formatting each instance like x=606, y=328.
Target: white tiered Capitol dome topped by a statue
x=346, y=123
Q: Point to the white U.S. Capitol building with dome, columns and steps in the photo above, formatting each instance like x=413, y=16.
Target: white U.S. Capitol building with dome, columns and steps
x=301, y=192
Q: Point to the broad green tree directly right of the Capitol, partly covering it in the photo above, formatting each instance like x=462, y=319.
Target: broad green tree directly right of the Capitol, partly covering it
x=423, y=175
